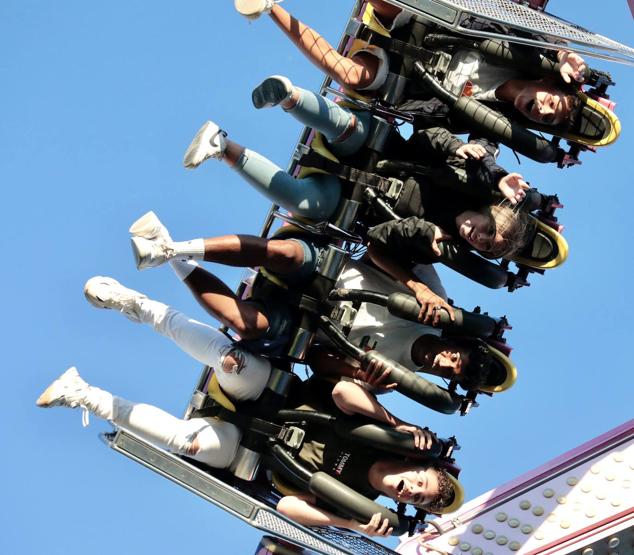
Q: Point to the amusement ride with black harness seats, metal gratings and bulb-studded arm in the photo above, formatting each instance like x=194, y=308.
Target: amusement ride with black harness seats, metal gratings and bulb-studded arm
x=529, y=516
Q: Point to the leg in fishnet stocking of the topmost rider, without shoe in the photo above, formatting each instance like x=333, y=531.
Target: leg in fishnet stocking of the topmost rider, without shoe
x=356, y=72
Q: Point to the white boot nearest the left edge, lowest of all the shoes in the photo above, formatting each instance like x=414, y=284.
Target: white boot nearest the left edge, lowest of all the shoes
x=70, y=390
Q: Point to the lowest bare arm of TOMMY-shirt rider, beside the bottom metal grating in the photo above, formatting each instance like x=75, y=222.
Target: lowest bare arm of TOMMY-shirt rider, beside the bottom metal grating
x=302, y=509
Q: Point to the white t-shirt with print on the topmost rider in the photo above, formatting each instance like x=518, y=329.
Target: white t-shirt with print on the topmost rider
x=471, y=66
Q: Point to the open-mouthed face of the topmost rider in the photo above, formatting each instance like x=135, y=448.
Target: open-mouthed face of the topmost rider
x=542, y=103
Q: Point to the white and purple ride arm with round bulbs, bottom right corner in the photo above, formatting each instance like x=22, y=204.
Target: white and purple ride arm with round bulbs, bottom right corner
x=580, y=503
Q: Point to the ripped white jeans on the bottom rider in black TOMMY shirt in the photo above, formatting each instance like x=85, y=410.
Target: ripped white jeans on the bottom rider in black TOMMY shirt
x=243, y=377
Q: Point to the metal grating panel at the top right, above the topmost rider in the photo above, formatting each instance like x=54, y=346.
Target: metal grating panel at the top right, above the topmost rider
x=457, y=14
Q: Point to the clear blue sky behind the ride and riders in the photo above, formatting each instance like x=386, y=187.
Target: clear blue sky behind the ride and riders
x=99, y=101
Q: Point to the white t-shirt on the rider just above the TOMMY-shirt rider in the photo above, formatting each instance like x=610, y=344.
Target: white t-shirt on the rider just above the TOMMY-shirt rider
x=390, y=335
